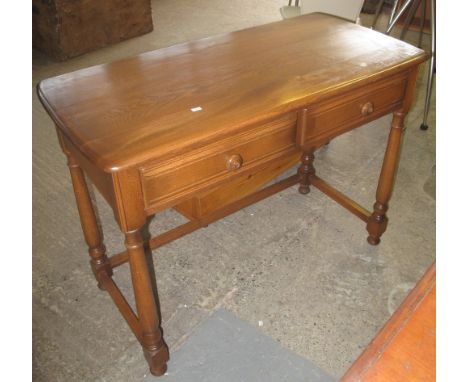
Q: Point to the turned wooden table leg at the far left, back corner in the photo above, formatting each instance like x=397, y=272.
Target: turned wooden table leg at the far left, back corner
x=99, y=261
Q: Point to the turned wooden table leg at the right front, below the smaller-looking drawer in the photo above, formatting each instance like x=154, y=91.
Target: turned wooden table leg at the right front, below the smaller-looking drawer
x=377, y=222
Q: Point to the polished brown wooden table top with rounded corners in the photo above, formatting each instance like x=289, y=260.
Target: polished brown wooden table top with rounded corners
x=173, y=99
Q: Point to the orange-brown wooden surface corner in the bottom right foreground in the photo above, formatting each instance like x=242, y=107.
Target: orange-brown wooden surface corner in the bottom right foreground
x=405, y=348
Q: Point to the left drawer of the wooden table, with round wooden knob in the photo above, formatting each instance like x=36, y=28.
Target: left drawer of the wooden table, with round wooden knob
x=169, y=182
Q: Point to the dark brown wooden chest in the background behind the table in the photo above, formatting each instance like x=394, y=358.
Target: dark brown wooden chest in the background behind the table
x=64, y=29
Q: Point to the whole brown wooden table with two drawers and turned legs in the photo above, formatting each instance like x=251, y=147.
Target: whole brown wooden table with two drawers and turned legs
x=203, y=126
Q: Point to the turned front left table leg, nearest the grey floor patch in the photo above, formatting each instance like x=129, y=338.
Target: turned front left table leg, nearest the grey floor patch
x=154, y=348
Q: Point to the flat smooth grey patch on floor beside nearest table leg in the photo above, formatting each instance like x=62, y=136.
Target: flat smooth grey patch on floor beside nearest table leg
x=225, y=348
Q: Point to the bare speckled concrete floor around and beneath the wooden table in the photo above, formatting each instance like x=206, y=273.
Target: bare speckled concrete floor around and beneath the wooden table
x=300, y=264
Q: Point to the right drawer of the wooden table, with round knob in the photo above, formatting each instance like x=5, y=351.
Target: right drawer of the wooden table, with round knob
x=335, y=116
